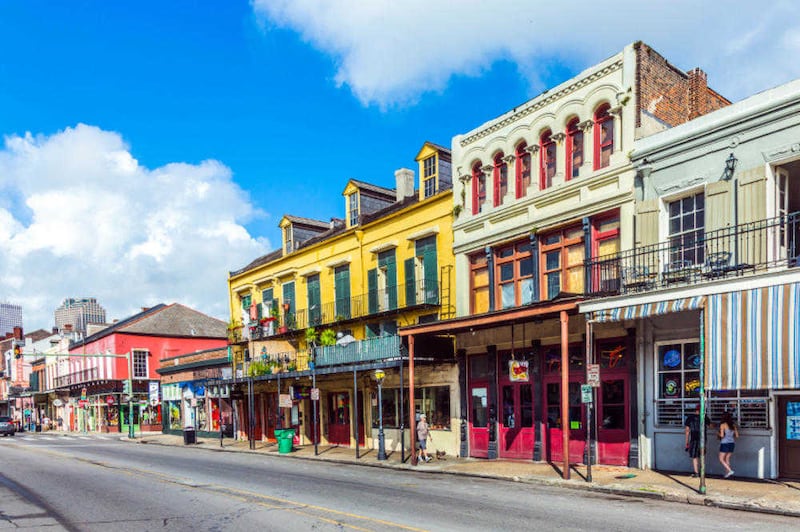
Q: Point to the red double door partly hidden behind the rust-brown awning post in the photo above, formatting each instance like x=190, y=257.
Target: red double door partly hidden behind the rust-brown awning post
x=554, y=433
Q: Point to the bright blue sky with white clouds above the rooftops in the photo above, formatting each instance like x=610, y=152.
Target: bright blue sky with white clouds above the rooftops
x=149, y=148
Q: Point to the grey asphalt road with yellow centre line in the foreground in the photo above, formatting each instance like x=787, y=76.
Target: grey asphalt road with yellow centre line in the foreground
x=92, y=483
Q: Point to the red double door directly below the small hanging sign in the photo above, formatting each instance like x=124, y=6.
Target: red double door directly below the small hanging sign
x=516, y=422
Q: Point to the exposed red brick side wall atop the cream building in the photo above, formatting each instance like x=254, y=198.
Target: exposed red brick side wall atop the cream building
x=667, y=93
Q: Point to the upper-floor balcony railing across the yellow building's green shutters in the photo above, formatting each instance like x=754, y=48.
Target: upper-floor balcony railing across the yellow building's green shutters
x=403, y=296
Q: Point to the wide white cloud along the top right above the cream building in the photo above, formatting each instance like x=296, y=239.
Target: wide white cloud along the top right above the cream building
x=389, y=52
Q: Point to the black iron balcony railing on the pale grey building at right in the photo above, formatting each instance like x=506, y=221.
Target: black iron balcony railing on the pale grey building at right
x=697, y=257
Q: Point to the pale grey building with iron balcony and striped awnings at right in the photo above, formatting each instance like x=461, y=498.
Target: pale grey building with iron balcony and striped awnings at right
x=711, y=287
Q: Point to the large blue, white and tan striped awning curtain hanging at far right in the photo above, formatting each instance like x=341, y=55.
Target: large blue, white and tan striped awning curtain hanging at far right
x=753, y=339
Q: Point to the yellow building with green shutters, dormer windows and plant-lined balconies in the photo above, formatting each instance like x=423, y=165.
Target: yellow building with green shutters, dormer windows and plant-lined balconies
x=323, y=312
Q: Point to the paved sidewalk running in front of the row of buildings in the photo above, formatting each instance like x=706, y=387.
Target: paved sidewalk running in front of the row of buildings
x=765, y=496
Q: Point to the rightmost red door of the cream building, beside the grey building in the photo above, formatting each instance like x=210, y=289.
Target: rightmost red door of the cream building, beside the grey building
x=613, y=423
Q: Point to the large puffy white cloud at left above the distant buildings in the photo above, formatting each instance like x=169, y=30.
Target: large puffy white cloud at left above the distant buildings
x=88, y=220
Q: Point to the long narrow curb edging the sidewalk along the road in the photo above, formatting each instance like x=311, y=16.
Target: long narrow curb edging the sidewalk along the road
x=692, y=499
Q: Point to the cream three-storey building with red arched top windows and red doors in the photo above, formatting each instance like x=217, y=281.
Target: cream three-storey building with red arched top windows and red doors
x=540, y=192
